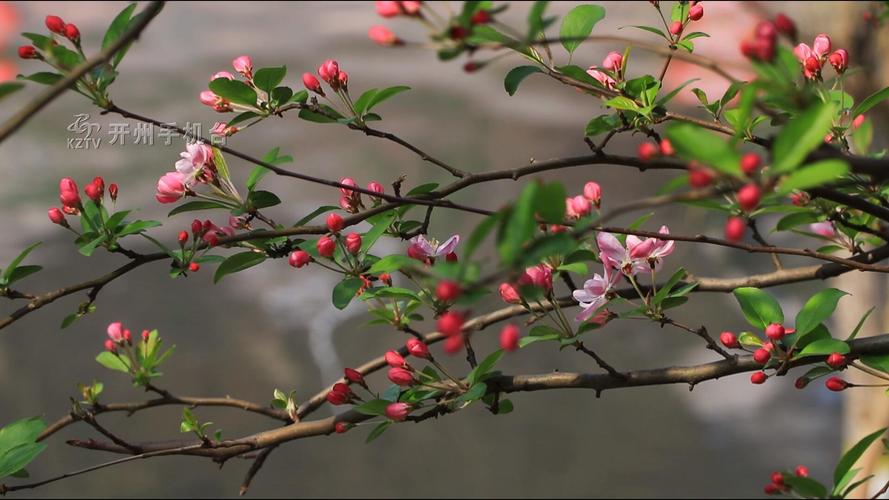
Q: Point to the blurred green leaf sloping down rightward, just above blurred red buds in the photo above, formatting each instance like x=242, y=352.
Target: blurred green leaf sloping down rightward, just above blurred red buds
x=695, y=143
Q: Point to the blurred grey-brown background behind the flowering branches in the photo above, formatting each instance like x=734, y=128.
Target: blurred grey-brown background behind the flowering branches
x=272, y=327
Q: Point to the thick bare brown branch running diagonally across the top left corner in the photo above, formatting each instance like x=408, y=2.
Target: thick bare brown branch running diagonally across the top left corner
x=32, y=108
